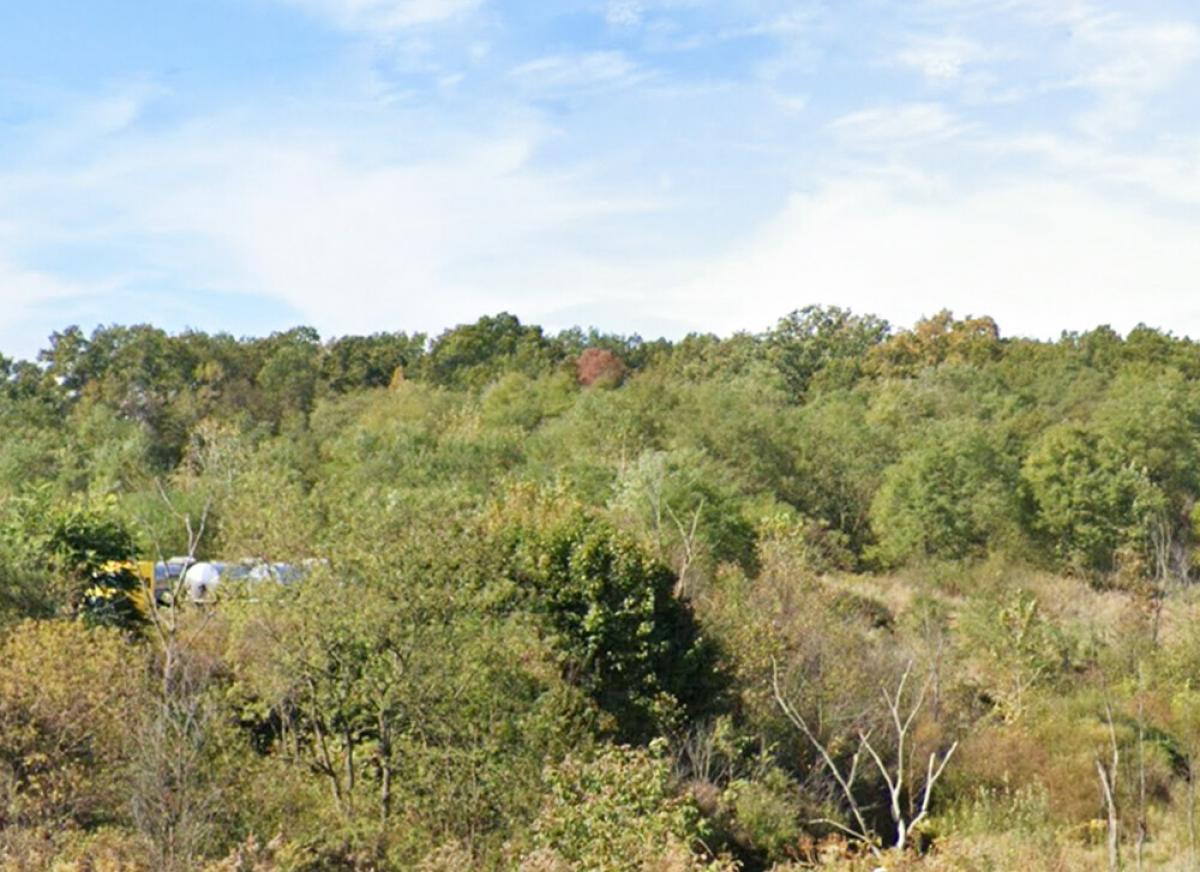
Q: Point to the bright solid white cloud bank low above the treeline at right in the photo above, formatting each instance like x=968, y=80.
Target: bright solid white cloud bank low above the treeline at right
x=1040, y=256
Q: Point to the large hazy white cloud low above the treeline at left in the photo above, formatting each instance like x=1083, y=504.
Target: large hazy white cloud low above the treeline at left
x=326, y=221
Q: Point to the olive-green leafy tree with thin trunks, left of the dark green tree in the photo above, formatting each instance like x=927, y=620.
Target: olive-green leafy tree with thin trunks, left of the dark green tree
x=425, y=711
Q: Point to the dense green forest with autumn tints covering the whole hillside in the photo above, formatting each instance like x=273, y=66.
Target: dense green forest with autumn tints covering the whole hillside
x=837, y=594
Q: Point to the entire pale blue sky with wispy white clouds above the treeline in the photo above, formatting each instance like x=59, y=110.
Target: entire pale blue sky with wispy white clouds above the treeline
x=643, y=166
